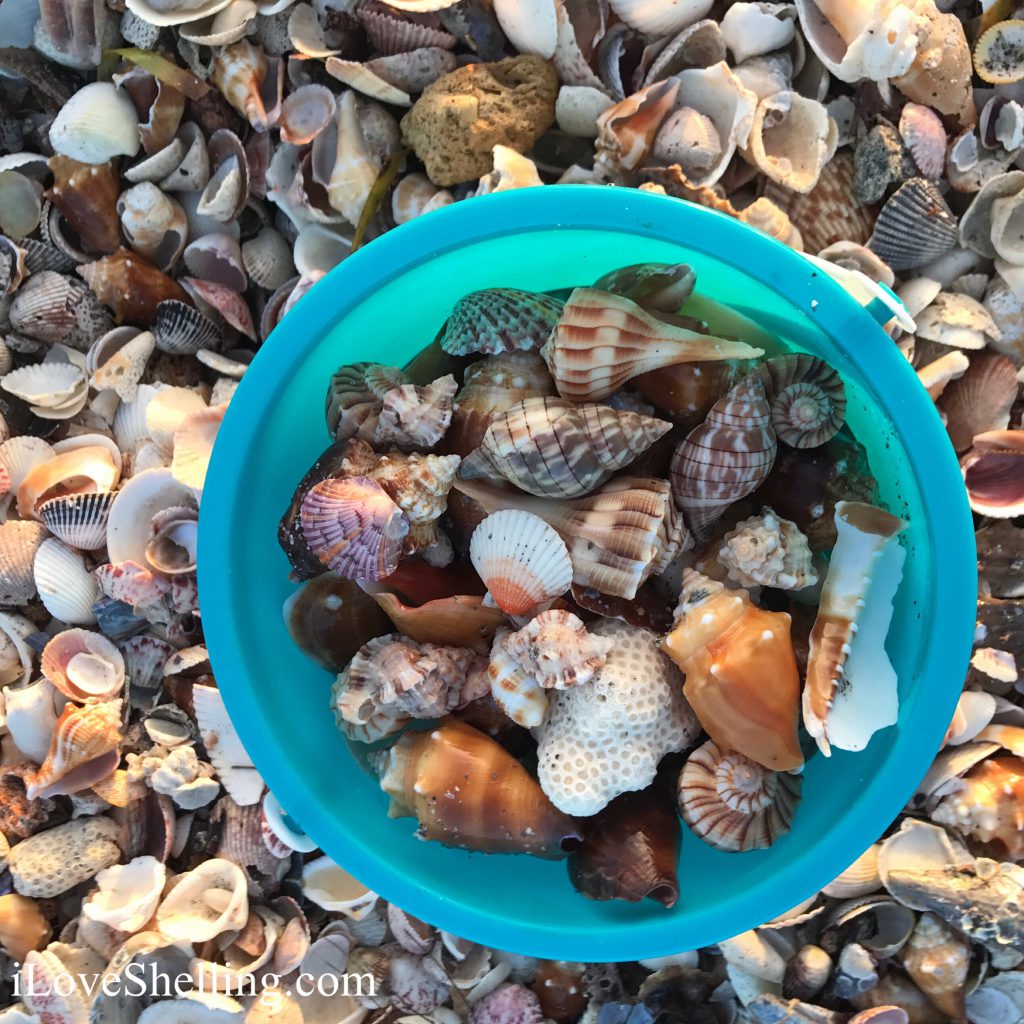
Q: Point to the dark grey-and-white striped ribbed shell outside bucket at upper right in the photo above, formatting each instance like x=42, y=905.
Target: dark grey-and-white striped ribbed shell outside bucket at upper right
x=916, y=227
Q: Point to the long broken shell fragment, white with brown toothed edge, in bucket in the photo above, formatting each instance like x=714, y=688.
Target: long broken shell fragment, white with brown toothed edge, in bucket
x=847, y=641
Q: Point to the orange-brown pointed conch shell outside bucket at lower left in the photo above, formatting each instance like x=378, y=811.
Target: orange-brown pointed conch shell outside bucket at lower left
x=84, y=751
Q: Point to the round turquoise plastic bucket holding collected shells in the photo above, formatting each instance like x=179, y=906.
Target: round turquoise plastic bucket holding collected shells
x=386, y=304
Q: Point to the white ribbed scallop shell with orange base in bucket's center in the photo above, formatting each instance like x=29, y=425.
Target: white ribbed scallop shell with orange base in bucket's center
x=523, y=562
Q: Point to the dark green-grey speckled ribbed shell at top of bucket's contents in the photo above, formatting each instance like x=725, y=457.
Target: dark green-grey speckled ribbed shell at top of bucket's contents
x=500, y=320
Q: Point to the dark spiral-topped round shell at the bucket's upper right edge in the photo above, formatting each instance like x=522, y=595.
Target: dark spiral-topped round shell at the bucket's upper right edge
x=807, y=398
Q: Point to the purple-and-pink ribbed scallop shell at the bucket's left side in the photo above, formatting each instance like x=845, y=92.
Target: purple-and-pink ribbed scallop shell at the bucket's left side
x=354, y=528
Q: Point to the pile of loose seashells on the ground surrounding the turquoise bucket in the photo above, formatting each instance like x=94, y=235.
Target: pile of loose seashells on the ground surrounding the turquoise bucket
x=175, y=176
